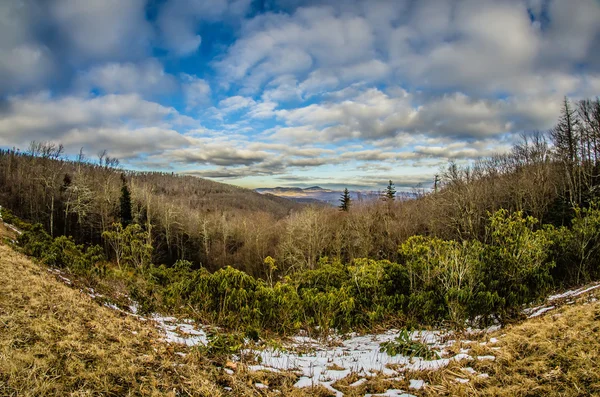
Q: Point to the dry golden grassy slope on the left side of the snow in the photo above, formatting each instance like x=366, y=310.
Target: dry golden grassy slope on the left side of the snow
x=55, y=341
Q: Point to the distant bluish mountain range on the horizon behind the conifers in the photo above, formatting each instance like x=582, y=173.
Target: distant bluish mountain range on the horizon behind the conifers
x=317, y=194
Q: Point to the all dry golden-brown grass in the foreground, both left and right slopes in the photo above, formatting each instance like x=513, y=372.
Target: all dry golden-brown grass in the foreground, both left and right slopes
x=55, y=340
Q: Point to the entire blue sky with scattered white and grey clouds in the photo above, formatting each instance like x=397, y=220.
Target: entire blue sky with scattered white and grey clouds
x=265, y=93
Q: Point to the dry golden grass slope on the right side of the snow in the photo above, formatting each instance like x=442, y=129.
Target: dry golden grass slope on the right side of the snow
x=557, y=354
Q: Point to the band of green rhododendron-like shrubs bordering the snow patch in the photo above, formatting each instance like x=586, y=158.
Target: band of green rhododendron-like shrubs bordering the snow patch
x=436, y=281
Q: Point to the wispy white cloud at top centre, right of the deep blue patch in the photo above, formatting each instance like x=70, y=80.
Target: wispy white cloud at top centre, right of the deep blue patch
x=276, y=44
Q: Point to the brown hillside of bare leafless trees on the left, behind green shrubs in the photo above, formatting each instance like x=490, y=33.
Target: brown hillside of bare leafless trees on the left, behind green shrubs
x=190, y=218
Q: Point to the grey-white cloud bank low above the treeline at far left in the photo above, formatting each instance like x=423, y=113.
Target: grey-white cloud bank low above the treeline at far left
x=124, y=124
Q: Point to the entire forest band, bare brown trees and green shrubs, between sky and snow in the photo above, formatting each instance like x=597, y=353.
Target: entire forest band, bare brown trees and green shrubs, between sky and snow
x=492, y=236
